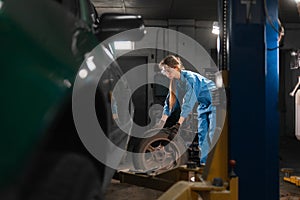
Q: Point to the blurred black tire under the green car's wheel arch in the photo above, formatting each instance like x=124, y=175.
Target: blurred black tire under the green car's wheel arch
x=73, y=178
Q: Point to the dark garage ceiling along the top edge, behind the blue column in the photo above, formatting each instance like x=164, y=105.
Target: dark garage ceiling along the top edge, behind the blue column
x=183, y=9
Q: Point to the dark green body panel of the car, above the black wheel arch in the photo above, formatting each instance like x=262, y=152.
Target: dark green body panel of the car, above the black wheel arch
x=39, y=65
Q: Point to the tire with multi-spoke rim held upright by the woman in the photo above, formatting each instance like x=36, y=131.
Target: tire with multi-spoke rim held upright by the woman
x=159, y=153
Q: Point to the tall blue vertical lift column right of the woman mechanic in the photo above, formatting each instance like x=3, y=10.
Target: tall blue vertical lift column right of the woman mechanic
x=253, y=97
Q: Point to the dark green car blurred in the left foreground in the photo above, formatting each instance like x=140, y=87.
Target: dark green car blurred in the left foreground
x=43, y=43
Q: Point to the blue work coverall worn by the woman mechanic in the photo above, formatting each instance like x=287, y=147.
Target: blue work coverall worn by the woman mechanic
x=190, y=89
